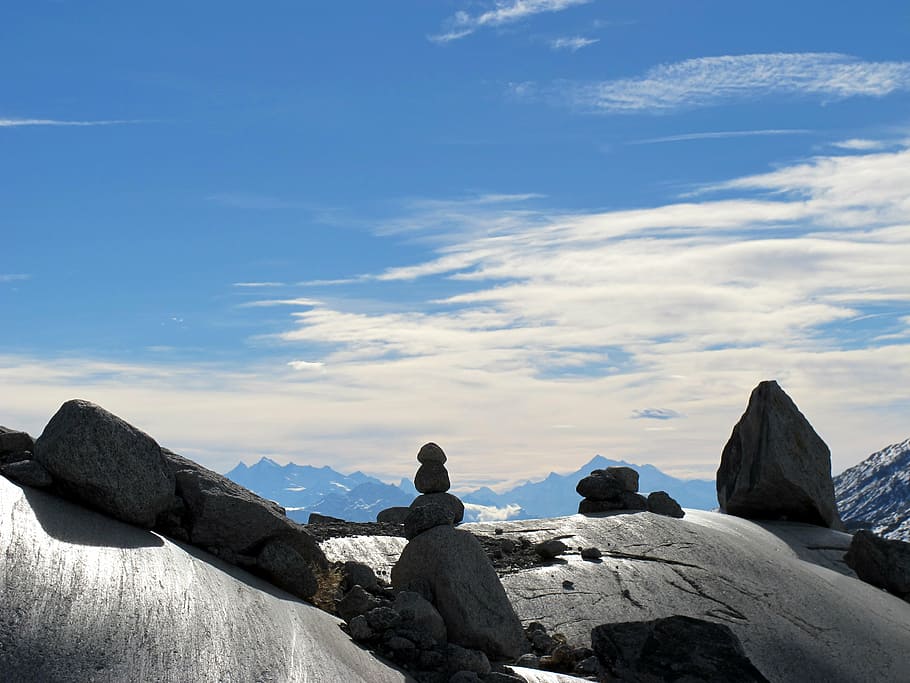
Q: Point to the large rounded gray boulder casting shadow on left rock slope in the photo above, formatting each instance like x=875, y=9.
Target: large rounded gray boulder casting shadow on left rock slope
x=101, y=461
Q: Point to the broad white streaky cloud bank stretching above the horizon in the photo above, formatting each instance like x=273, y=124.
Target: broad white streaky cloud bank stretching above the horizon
x=556, y=320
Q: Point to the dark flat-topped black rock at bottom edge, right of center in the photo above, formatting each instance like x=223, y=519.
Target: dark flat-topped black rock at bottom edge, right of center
x=692, y=649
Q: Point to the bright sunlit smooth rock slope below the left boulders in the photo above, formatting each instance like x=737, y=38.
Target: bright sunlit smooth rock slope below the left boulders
x=87, y=598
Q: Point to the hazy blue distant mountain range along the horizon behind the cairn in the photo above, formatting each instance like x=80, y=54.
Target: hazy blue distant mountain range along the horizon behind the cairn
x=358, y=497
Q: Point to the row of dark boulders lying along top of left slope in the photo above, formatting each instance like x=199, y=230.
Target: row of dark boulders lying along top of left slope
x=95, y=458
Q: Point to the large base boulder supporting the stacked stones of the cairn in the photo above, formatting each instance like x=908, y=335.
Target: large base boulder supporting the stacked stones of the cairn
x=466, y=590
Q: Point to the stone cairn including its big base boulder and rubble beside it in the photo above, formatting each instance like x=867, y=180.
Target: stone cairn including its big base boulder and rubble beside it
x=446, y=616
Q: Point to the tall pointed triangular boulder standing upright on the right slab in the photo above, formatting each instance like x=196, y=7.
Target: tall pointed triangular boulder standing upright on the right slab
x=775, y=466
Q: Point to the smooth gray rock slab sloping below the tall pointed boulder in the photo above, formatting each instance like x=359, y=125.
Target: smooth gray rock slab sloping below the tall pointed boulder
x=799, y=613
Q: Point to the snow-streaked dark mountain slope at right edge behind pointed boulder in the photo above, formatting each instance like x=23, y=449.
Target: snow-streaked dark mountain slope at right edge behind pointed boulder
x=875, y=494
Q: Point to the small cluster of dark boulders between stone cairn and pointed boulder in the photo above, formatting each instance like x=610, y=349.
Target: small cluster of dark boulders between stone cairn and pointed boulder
x=615, y=489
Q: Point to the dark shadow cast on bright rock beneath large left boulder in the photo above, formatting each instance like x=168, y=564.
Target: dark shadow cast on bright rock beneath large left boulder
x=68, y=522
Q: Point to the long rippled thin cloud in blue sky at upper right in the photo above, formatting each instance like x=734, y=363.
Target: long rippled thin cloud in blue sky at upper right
x=711, y=81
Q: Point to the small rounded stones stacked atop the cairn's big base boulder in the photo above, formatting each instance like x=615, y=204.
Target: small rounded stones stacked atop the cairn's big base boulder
x=435, y=506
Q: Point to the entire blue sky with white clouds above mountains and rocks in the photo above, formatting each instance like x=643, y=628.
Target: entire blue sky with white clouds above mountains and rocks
x=532, y=230
